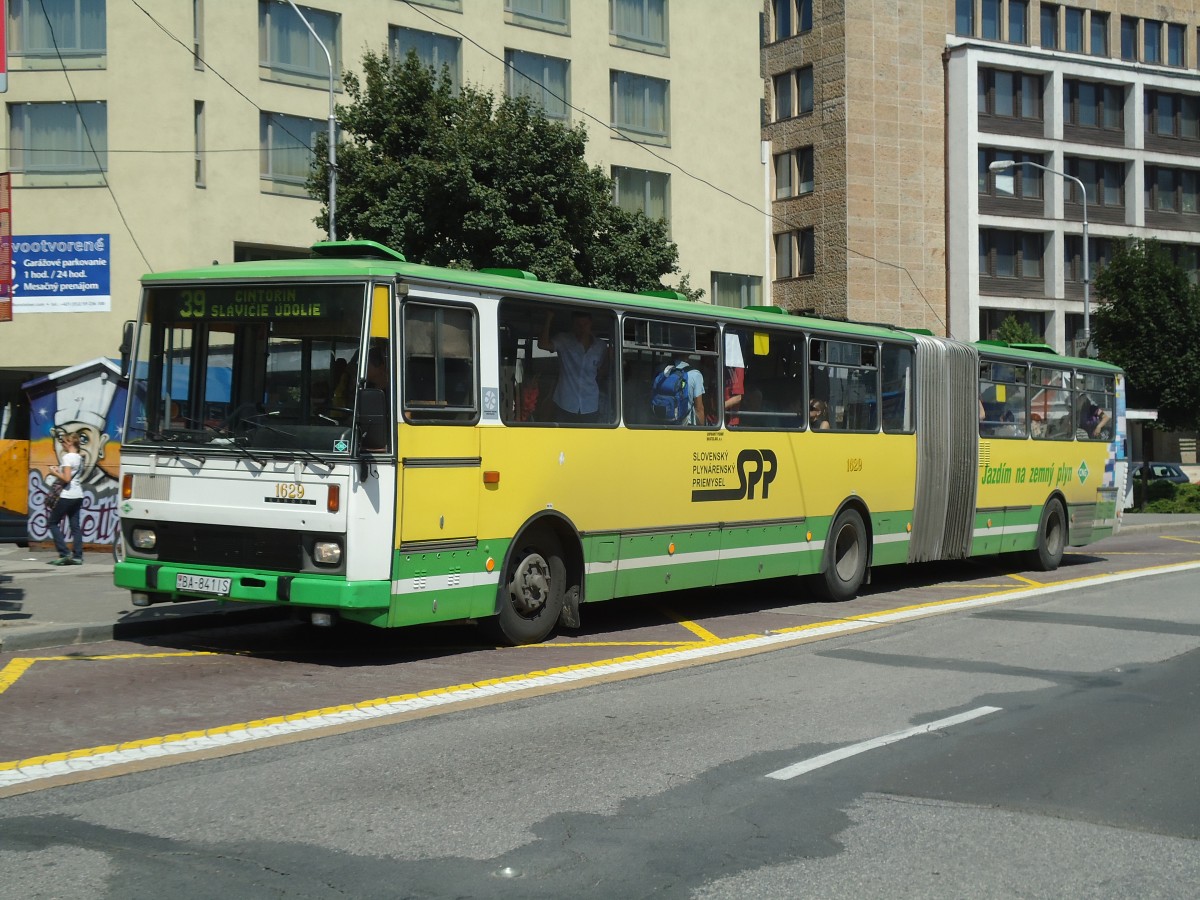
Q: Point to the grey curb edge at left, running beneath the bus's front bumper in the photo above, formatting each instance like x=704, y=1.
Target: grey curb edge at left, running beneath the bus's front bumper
x=34, y=638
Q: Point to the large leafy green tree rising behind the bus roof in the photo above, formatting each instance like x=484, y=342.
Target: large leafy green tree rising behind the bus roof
x=460, y=179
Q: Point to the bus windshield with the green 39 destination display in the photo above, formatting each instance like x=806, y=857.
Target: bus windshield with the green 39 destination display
x=248, y=367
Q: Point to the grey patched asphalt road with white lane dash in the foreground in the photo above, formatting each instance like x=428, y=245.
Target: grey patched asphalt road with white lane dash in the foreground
x=1039, y=747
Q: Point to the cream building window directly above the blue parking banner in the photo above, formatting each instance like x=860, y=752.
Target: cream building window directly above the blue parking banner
x=58, y=139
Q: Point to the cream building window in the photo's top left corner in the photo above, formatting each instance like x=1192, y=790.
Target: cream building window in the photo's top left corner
x=79, y=29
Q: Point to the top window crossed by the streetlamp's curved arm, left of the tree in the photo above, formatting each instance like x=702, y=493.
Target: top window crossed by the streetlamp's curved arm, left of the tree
x=286, y=49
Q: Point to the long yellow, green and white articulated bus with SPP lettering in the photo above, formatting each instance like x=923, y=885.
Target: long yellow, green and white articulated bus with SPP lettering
x=359, y=439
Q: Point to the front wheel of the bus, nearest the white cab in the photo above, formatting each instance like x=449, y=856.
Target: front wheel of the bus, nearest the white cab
x=531, y=592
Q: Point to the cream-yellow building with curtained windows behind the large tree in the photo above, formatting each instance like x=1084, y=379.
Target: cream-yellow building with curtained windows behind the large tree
x=161, y=135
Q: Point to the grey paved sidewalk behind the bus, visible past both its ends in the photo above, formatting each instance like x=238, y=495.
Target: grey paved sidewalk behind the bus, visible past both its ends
x=43, y=605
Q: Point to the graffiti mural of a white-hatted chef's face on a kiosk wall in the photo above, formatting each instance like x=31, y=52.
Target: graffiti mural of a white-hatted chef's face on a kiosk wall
x=89, y=403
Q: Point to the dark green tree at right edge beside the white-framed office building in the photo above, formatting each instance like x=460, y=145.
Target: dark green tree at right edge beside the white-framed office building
x=1148, y=322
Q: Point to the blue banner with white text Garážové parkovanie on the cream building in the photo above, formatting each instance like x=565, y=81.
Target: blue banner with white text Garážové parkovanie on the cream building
x=61, y=273
